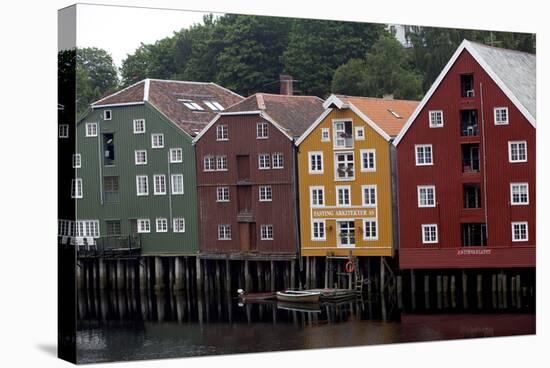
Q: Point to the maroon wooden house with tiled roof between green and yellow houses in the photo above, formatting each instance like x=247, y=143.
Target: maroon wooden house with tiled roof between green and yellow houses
x=246, y=177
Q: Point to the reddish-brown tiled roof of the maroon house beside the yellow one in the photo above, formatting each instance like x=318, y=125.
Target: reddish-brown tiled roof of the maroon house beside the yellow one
x=293, y=114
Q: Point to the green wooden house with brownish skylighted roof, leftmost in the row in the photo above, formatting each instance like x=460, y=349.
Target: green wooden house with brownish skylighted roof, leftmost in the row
x=135, y=183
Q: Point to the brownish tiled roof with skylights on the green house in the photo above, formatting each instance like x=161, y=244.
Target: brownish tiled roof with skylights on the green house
x=168, y=96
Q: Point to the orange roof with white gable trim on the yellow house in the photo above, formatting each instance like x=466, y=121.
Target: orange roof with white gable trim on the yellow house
x=386, y=116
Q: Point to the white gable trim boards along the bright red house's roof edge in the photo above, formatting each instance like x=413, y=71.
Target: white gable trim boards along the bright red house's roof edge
x=465, y=45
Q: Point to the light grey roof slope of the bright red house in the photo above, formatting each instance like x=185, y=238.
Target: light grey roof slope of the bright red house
x=517, y=70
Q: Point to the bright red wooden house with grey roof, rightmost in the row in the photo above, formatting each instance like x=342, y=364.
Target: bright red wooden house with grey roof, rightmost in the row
x=466, y=165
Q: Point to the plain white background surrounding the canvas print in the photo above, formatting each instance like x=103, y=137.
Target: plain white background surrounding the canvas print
x=28, y=182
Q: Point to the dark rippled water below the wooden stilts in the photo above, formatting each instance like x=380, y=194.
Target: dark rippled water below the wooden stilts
x=129, y=326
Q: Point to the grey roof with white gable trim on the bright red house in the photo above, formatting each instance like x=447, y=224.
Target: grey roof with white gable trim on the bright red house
x=514, y=72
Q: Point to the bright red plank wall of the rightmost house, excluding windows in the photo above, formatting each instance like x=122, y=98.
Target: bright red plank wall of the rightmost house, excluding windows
x=446, y=174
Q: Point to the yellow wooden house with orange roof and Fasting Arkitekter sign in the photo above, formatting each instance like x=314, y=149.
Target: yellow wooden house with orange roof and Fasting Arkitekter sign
x=345, y=177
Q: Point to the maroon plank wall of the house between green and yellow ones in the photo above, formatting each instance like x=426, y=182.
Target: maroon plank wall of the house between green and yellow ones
x=280, y=212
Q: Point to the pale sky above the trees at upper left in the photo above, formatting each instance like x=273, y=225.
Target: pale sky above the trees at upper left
x=121, y=30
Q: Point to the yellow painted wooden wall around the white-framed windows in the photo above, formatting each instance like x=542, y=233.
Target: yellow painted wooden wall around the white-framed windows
x=381, y=177
